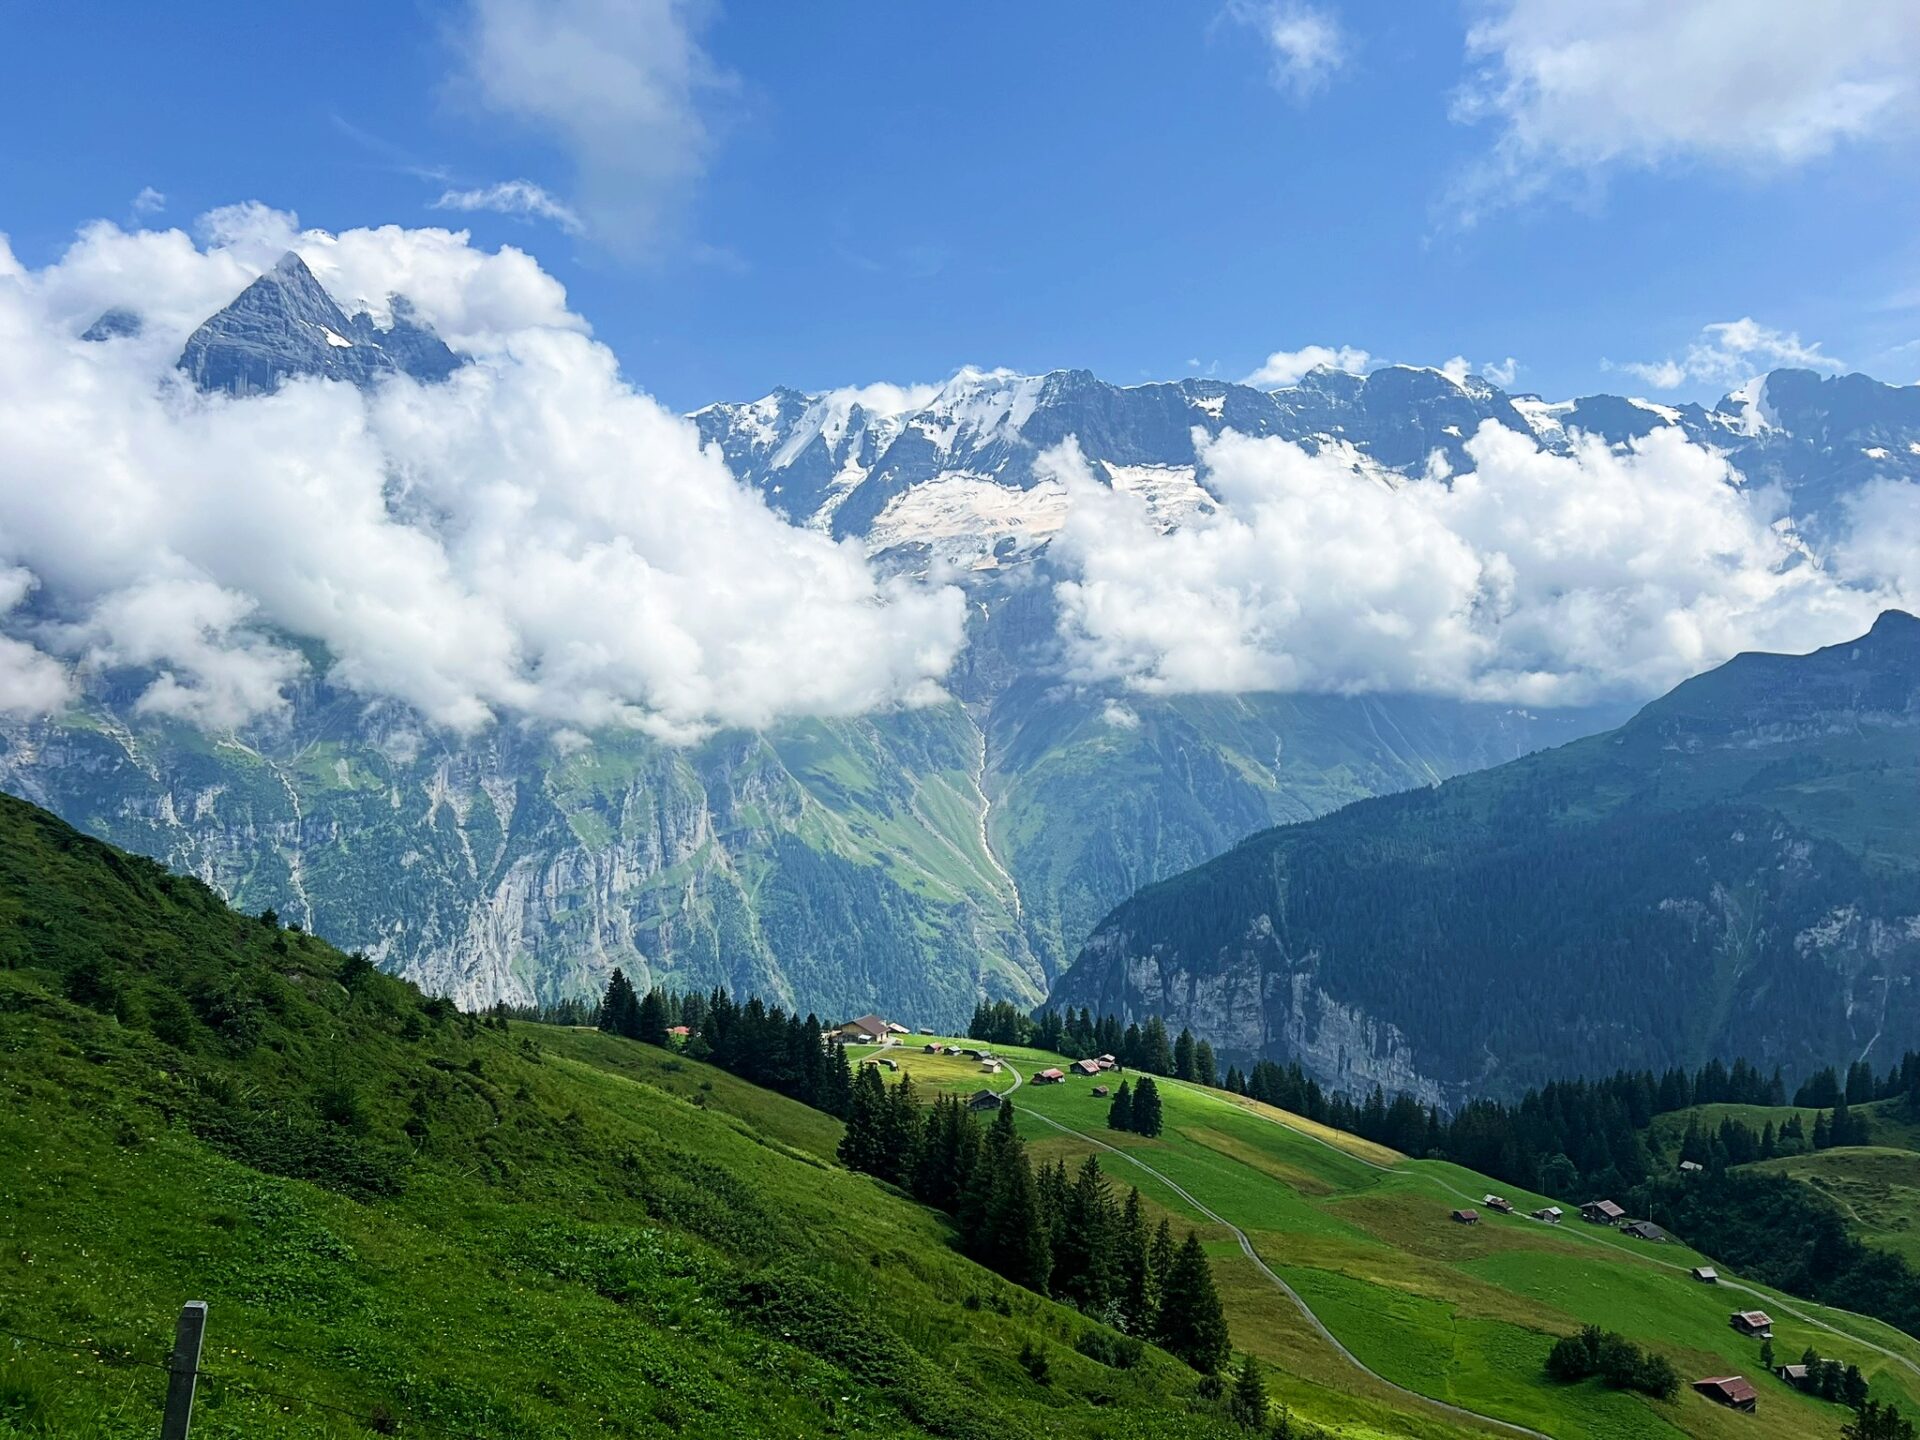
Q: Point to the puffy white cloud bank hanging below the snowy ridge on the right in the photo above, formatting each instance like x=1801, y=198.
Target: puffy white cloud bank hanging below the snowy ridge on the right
x=1531, y=579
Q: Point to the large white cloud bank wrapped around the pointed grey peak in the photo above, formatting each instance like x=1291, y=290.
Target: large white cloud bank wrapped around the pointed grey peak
x=533, y=539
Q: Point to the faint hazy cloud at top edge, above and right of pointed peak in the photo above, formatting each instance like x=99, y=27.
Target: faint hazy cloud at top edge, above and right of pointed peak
x=621, y=85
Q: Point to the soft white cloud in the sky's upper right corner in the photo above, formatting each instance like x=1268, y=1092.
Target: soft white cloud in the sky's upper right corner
x=1577, y=87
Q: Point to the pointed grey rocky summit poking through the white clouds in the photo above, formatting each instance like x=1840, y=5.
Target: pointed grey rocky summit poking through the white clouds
x=287, y=325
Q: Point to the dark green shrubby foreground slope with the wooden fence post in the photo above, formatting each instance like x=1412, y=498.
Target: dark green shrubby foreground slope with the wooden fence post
x=573, y=1249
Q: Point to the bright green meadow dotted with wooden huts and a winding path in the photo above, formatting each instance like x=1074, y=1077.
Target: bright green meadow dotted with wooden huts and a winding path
x=1451, y=1312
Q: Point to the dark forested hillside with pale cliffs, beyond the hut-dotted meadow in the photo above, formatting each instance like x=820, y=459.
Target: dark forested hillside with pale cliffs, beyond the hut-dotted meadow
x=1731, y=873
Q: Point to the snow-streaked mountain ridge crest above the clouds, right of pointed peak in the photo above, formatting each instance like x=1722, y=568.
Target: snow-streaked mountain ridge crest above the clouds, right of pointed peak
x=951, y=471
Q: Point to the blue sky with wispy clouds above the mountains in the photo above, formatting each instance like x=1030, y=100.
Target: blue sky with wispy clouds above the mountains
x=830, y=195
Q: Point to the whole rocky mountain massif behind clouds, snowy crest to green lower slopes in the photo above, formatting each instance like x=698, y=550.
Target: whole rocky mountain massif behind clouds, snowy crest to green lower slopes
x=911, y=863
